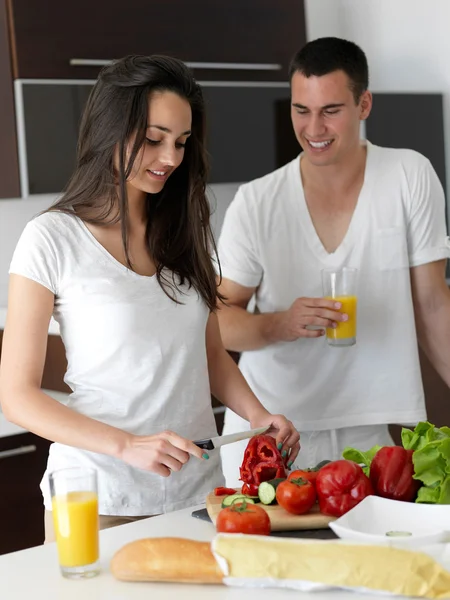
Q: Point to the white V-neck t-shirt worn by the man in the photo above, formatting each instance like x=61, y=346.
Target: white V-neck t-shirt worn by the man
x=268, y=241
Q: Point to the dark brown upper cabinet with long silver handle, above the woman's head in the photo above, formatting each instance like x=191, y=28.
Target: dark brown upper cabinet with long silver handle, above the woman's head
x=54, y=39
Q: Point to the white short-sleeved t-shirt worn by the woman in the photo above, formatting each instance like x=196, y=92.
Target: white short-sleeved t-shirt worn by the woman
x=136, y=361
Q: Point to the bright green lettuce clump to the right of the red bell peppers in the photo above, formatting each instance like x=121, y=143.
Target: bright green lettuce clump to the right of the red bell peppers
x=431, y=460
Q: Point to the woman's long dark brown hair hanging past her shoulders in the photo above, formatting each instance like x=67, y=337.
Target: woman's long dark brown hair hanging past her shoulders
x=178, y=233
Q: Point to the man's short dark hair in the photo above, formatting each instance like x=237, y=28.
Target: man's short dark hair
x=326, y=55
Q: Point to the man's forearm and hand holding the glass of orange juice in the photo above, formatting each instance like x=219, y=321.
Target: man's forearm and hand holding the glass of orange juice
x=241, y=330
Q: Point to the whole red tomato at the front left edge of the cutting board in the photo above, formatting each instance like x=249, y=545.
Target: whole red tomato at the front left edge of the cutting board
x=243, y=517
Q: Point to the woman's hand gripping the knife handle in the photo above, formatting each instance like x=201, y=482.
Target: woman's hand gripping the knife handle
x=161, y=453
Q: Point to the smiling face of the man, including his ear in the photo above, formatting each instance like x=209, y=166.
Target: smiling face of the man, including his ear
x=325, y=116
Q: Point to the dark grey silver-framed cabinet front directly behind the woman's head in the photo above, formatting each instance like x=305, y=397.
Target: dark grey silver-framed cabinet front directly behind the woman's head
x=246, y=129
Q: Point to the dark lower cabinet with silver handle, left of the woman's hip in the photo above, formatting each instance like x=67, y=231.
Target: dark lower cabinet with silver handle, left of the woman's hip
x=23, y=459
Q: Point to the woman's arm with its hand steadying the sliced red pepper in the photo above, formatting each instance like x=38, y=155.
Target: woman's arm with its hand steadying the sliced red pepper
x=230, y=387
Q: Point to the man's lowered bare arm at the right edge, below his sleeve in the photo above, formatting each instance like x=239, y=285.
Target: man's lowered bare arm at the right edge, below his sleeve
x=431, y=297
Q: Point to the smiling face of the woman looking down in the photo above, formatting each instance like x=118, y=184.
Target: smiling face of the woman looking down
x=168, y=127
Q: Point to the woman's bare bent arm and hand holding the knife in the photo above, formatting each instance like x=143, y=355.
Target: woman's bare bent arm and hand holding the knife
x=30, y=306
